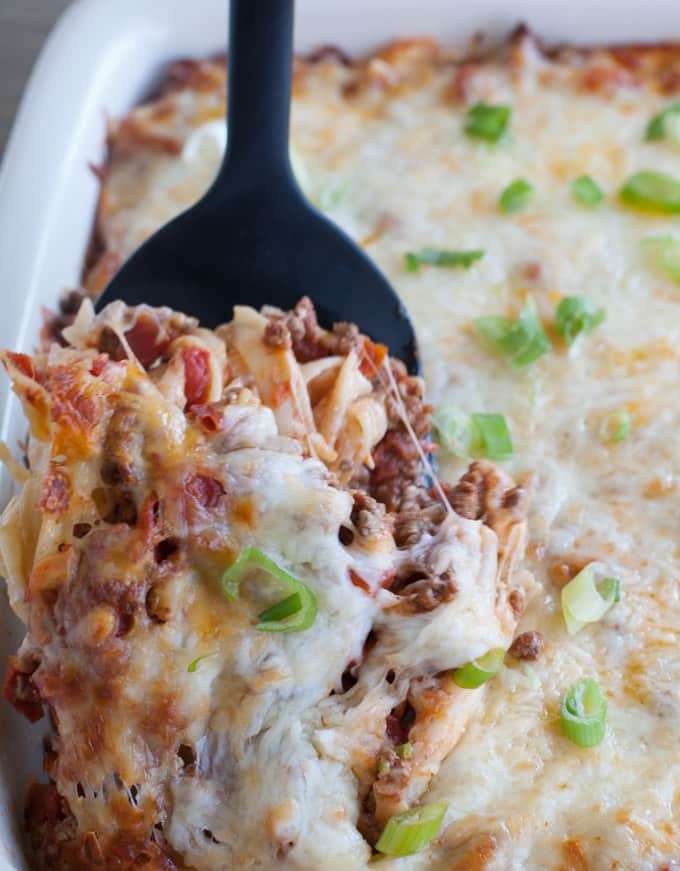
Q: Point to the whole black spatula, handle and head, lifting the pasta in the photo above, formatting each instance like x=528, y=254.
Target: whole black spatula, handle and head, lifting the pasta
x=254, y=239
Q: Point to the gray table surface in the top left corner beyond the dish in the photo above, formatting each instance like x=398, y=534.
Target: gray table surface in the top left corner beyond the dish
x=24, y=24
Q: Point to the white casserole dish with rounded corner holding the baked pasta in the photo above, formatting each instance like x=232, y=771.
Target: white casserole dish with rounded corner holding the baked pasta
x=101, y=58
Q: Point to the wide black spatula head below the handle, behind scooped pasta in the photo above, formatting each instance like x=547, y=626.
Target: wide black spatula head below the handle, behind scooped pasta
x=250, y=249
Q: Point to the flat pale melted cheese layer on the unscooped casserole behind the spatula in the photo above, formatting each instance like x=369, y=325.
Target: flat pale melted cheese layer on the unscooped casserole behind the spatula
x=394, y=168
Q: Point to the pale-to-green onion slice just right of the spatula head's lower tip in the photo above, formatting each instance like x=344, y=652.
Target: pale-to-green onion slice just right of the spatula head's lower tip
x=472, y=435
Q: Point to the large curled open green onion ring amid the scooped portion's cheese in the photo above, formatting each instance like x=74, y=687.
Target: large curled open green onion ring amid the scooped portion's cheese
x=294, y=613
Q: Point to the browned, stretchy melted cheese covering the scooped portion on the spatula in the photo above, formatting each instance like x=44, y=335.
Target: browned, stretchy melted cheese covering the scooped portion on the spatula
x=119, y=610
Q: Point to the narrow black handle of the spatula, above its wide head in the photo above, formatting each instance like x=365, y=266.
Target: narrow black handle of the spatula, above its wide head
x=258, y=116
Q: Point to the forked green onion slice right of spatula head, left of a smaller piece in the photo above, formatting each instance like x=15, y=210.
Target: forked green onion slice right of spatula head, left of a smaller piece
x=522, y=340
